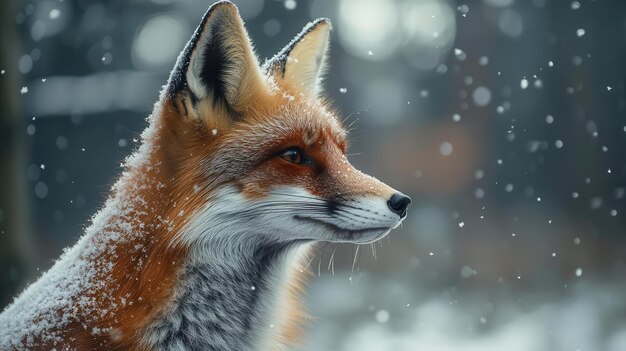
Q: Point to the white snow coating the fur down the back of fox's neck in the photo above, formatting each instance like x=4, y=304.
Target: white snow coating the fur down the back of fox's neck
x=65, y=293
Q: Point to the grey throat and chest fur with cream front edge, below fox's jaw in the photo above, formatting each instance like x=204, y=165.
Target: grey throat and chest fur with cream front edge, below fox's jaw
x=234, y=305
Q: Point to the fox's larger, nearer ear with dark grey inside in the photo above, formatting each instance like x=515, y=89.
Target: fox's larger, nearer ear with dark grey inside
x=218, y=64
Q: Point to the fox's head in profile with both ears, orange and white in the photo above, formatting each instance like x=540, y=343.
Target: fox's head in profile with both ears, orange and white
x=255, y=153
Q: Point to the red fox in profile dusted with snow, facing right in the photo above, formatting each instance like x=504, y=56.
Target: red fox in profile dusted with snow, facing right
x=202, y=241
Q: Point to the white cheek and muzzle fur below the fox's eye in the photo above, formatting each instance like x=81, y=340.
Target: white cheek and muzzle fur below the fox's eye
x=231, y=220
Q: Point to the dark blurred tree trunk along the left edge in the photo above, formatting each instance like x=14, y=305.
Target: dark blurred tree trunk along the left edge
x=16, y=244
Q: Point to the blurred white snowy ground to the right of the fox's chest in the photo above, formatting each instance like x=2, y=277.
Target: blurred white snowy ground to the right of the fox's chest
x=588, y=317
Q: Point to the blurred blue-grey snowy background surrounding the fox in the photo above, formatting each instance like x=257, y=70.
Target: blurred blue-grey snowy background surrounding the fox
x=505, y=120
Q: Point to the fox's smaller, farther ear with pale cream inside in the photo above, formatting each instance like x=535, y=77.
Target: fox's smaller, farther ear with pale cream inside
x=300, y=65
